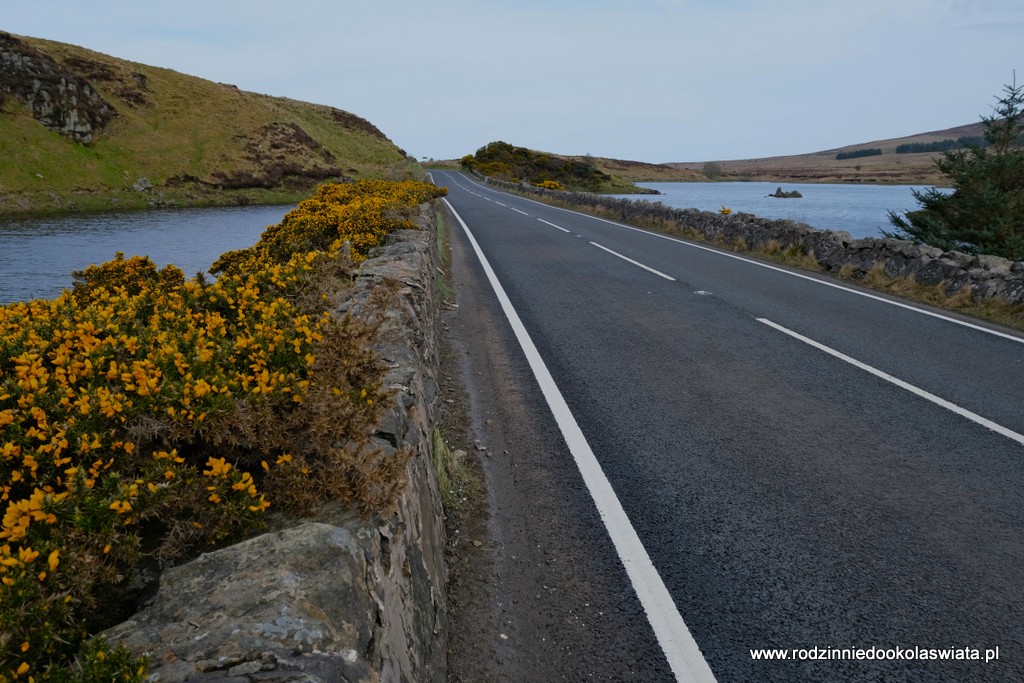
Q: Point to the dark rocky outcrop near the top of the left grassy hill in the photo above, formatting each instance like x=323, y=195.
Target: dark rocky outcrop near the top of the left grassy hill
x=59, y=99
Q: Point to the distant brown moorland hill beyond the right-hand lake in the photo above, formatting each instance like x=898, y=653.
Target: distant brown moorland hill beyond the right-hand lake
x=887, y=167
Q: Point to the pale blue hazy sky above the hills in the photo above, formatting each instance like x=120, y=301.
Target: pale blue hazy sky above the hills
x=647, y=80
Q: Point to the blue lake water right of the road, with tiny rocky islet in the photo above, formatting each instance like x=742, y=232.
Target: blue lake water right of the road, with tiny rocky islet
x=861, y=210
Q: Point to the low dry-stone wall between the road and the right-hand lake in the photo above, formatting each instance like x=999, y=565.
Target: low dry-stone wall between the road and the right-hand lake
x=986, y=277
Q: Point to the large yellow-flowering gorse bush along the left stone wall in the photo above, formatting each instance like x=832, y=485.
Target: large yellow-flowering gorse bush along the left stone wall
x=140, y=406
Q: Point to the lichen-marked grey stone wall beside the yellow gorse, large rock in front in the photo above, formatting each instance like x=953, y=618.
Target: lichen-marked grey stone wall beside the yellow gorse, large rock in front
x=338, y=599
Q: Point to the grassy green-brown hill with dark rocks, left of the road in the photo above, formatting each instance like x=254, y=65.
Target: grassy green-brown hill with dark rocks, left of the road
x=84, y=131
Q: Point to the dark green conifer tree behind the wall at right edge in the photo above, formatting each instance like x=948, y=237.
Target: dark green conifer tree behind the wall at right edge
x=986, y=212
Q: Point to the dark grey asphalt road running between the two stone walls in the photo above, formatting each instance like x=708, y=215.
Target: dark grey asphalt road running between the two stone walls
x=788, y=498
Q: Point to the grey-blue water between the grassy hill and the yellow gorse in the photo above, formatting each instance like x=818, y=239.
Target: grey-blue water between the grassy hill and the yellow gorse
x=38, y=255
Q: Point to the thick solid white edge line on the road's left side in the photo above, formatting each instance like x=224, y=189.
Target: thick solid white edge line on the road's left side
x=673, y=635
